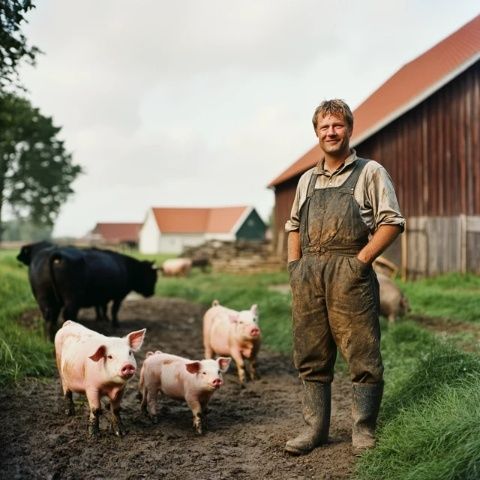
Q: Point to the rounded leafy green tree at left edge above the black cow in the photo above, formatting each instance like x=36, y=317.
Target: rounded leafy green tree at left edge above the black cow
x=36, y=171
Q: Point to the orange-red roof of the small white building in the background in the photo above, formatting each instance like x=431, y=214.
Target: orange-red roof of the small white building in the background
x=199, y=220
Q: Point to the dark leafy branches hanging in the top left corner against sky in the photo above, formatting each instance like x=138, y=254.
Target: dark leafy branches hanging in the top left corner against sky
x=13, y=44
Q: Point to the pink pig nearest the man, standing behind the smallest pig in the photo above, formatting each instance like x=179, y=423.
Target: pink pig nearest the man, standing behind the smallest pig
x=232, y=333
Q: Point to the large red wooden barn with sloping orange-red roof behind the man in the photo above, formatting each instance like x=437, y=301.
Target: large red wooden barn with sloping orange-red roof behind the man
x=423, y=125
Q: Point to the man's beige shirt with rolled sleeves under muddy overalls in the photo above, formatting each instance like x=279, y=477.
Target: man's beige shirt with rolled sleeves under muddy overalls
x=374, y=193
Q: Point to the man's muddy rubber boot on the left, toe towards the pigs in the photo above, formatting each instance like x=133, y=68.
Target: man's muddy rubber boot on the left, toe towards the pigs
x=316, y=413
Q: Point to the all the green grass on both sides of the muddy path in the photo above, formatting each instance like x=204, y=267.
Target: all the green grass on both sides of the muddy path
x=430, y=416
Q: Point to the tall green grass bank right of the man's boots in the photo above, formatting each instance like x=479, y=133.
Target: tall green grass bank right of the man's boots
x=428, y=428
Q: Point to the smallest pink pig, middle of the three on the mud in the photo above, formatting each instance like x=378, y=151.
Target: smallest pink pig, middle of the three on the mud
x=194, y=381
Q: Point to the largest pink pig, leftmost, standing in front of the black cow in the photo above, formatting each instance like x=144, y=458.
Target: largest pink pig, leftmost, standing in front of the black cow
x=97, y=366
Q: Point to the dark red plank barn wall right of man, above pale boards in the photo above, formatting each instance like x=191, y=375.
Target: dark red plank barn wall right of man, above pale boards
x=432, y=152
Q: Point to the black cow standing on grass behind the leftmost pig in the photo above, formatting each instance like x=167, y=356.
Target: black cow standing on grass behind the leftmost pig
x=72, y=278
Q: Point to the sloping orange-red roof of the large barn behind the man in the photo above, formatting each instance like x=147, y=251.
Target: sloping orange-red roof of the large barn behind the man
x=413, y=83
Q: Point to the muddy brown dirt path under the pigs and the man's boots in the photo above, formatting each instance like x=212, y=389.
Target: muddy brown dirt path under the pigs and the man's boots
x=246, y=432
